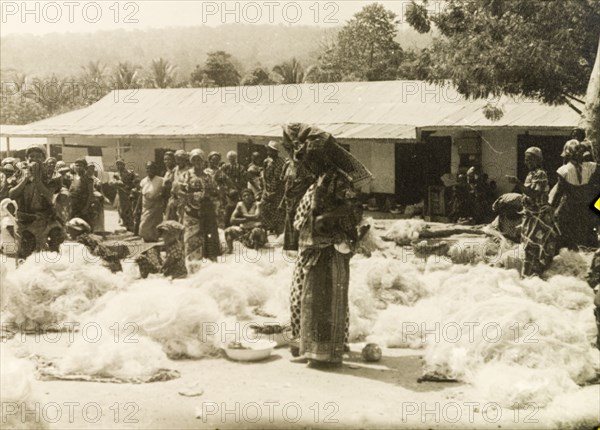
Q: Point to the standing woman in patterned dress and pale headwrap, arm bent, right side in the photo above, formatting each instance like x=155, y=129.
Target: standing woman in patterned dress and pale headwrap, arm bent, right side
x=539, y=231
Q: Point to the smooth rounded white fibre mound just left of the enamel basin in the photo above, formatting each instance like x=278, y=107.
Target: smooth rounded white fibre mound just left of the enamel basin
x=184, y=320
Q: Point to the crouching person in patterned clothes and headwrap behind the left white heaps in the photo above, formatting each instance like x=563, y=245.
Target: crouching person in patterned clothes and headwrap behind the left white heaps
x=172, y=265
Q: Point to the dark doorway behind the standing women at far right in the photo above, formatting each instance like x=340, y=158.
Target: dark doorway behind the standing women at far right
x=551, y=147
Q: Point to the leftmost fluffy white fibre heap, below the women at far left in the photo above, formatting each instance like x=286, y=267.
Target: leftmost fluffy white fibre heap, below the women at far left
x=52, y=288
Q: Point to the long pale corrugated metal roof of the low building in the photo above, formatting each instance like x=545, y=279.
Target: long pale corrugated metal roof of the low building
x=352, y=110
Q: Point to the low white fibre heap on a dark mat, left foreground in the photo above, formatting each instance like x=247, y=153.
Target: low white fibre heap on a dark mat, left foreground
x=123, y=355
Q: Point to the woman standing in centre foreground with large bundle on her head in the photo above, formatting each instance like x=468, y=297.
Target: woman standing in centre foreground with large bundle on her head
x=327, y=220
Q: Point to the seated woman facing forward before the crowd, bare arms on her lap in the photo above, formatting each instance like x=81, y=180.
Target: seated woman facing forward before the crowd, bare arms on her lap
x=246, y=226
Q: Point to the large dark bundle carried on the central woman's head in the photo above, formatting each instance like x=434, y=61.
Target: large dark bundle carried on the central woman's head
x=304, y=138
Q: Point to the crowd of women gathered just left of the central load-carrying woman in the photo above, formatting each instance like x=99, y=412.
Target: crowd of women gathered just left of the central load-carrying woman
x=205, y=194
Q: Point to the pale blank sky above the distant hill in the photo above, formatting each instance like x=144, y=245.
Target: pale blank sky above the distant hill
x=42, y=17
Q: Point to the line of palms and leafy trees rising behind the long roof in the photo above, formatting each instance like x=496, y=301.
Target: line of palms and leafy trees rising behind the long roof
x=541, y=50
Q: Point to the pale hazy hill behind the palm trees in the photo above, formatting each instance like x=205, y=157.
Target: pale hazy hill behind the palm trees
x=65, y=53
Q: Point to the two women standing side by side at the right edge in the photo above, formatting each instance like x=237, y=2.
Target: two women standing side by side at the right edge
x=561, y=217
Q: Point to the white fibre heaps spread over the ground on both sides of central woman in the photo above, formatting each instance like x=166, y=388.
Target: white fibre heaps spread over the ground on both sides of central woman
x=515, y=341
